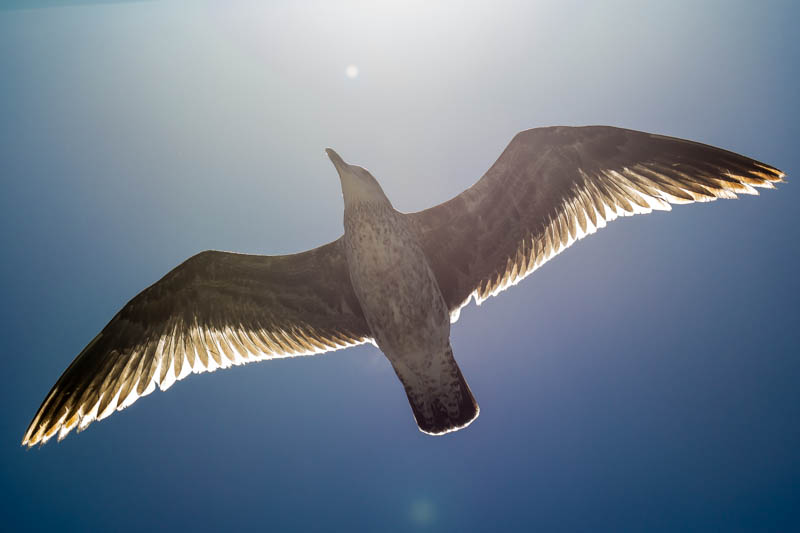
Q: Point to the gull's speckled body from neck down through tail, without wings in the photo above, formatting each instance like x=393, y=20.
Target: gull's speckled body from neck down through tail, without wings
x=408, y=317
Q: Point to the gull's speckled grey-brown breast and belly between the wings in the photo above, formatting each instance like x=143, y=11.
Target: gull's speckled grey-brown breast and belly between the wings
x=396, y=287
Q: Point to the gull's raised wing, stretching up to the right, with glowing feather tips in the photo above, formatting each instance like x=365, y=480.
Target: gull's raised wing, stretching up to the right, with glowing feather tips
x=553, y=186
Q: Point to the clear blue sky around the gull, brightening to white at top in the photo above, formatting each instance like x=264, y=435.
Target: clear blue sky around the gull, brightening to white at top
x=643, y=380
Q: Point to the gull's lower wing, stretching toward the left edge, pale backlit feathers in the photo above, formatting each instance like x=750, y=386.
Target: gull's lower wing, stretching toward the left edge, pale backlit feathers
x=215, y=310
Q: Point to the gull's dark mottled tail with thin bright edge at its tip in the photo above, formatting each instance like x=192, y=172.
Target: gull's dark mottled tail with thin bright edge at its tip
x=439, y=396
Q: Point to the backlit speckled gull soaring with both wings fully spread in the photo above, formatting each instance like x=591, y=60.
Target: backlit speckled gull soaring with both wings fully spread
x=398, y=280
